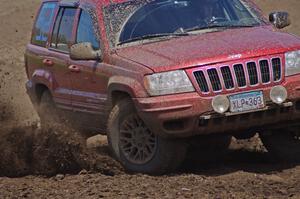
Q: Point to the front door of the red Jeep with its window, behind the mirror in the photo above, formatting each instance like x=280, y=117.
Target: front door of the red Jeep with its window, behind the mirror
x=89, y=82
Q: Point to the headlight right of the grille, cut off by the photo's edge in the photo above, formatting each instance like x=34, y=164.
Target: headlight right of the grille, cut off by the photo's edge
x=292, y=63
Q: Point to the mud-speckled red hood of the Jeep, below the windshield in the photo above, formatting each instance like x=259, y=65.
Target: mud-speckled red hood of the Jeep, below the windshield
x=210, y=48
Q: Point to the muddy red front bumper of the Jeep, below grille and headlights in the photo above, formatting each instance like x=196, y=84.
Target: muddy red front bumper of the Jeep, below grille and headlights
x=189, y=114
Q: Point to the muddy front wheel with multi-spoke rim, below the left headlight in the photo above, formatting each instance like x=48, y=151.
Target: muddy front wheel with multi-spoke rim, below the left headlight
x=166, y=156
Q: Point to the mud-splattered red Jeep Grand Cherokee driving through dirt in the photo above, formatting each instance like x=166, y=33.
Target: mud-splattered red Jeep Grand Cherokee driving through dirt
x=159, y=75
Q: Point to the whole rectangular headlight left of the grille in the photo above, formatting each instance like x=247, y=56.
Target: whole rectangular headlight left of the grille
x=168, y=83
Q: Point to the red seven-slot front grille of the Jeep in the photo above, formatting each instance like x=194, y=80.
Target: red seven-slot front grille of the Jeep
x=226, y=77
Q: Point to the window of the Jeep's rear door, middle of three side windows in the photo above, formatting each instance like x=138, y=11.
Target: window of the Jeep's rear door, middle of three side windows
x=62, y=33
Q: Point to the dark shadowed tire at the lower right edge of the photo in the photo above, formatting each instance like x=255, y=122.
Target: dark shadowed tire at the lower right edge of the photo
x=282, y=145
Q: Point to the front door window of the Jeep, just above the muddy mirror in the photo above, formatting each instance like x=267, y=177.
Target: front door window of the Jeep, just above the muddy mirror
x=87, y=30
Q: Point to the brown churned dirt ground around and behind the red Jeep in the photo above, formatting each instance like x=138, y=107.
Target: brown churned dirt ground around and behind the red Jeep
x=57, y=164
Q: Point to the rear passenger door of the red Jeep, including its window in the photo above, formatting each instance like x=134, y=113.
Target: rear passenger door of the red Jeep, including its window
x=58, y=56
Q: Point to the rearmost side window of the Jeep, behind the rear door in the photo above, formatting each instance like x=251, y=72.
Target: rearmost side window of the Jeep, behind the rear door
x=43, y=24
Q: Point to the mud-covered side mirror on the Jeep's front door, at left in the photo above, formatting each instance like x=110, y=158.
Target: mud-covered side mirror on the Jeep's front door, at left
x=84, y=51
